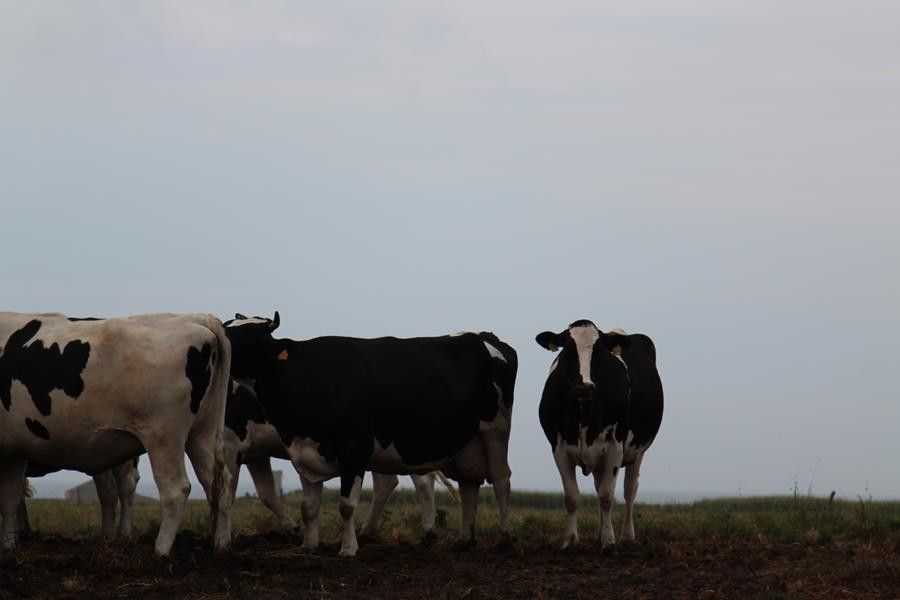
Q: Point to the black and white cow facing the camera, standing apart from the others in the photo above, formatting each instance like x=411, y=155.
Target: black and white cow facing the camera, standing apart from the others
x=601, y=409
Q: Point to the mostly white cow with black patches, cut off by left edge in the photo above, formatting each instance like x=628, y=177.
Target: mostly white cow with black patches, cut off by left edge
x=89, y=394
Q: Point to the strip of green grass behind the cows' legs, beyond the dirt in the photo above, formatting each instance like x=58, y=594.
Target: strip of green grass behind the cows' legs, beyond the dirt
x=535, y=517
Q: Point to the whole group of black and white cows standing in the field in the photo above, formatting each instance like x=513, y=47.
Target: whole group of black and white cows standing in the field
x=93, y=394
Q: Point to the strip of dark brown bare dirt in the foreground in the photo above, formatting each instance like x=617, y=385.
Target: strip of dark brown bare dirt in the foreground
x=273, y=566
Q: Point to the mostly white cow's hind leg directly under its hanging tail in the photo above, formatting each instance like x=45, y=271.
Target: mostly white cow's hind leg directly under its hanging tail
x=206, y=451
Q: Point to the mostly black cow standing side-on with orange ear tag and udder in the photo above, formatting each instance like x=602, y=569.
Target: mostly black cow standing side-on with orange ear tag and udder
x=343, y=406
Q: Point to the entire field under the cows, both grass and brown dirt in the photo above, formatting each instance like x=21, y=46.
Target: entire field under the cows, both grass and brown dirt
x=784, y=547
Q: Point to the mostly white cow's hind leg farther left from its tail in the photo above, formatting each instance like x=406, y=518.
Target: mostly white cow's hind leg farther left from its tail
x=167, y=464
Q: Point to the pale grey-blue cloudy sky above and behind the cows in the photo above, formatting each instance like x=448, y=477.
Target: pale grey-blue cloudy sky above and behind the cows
x=719, y=175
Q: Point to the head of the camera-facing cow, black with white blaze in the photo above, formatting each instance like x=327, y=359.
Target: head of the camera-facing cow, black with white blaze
x=585, y=355
